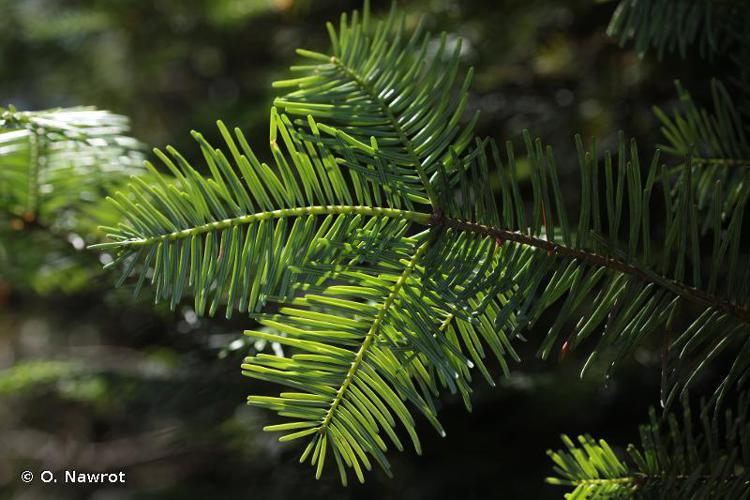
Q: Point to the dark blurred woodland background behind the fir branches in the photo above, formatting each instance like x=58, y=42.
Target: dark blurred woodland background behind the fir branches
x=96, y=380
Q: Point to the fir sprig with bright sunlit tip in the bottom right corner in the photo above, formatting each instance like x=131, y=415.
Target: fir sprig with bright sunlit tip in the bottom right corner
x=675, y=459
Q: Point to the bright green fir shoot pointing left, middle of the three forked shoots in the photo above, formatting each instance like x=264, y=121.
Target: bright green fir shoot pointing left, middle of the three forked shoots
x=243, y=234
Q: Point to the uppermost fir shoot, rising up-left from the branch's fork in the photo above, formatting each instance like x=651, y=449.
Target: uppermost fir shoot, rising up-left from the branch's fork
x=383, y=82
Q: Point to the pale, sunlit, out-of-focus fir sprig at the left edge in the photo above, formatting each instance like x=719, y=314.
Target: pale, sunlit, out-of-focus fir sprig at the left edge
x=52, y=160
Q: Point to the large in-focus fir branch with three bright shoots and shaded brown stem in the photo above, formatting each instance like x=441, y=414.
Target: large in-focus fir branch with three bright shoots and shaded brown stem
x=394, y=270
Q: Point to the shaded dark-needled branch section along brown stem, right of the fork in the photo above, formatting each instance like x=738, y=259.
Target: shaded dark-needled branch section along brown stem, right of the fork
x=610, y=270
